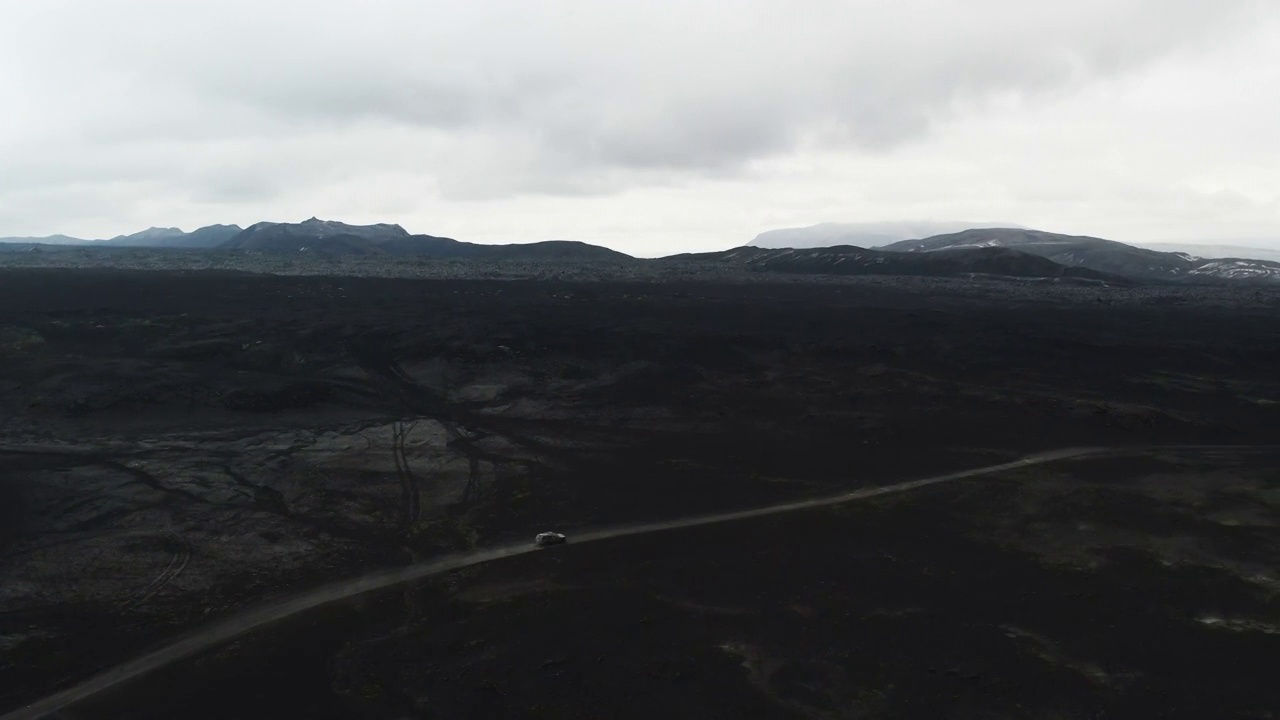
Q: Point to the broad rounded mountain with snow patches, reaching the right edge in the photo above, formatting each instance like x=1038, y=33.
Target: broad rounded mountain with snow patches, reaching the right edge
x=1099, y=254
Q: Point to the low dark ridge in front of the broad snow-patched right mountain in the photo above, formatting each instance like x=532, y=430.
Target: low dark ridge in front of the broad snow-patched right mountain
x=851, y=261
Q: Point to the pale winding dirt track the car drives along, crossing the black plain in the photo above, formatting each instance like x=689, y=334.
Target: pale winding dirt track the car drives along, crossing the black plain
x=254, y=619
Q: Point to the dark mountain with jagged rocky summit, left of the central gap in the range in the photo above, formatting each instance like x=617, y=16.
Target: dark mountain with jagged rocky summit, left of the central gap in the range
x=340, y=239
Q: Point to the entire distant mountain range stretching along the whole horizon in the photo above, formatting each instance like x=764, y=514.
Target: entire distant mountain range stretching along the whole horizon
x=1020, y=253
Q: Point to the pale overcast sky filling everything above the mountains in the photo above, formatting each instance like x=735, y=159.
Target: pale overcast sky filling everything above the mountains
x=652, y=126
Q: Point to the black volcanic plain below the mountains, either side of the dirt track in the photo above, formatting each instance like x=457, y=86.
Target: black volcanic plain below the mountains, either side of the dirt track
x=182, y=446
